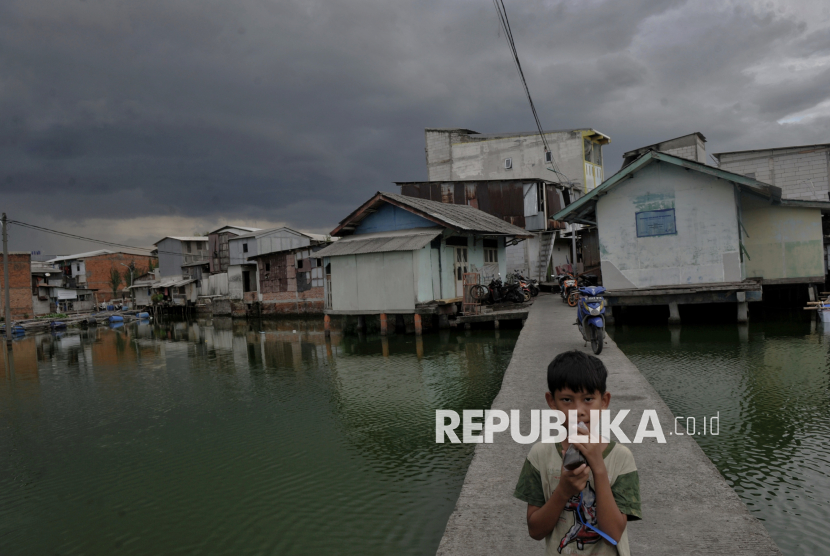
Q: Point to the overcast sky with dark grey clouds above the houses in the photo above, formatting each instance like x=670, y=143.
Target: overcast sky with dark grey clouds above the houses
x=134, y=120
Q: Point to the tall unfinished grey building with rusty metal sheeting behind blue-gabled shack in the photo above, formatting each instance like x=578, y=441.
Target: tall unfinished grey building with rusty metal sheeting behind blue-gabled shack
x=514, y=177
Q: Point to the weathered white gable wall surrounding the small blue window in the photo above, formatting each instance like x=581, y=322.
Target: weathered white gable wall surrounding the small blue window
x=704, y=249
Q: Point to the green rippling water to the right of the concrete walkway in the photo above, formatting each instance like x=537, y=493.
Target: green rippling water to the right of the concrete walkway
x=770, y=382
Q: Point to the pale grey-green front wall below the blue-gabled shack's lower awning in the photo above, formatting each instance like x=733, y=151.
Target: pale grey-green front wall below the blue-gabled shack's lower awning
x=373, y=281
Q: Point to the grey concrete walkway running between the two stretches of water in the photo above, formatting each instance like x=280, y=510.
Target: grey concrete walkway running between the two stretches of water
x=688, y=507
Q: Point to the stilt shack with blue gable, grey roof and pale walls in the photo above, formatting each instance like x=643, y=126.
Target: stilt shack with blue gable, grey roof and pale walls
x=405, y=255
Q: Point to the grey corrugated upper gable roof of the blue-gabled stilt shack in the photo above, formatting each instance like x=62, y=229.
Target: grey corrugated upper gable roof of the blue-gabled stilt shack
x=461, y=218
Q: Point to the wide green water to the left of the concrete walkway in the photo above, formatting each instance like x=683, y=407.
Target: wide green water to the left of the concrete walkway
x=212, y=438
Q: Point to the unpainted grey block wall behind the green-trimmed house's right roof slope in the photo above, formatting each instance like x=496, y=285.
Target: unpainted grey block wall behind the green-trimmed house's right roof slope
x=800, y=172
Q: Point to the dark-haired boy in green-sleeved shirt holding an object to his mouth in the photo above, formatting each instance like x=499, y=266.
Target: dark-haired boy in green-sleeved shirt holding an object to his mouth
x=576, y=511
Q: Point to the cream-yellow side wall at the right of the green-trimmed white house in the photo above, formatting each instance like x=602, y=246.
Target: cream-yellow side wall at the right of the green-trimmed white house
x=782, y=242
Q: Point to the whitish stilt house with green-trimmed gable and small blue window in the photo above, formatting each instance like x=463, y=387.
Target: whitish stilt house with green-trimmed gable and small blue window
x=674, y=231
